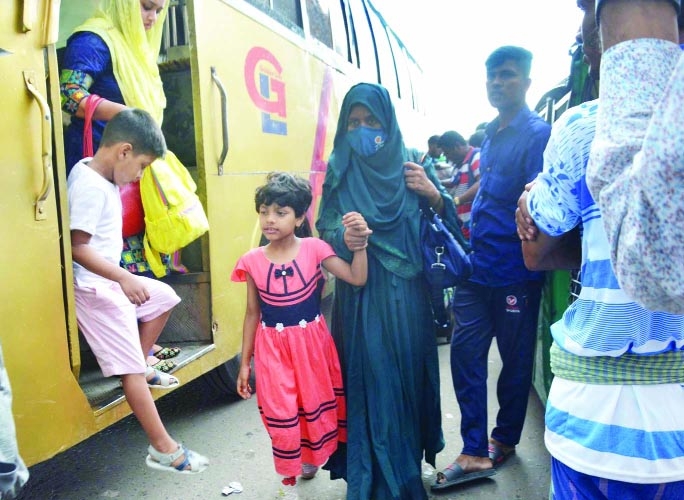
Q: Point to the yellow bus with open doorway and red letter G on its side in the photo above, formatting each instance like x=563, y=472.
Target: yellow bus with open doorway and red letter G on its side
x=252, y=86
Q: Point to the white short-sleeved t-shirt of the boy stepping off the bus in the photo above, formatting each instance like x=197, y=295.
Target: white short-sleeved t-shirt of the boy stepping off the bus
x=95, y=208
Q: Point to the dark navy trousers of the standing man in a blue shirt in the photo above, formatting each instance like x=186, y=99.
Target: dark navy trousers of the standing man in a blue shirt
x=481, y=313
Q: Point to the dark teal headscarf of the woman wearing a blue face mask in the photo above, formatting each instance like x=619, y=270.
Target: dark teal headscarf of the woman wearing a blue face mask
x=374, y=185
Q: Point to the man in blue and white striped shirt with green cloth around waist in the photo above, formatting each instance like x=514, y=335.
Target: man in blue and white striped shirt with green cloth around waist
x=614, y=420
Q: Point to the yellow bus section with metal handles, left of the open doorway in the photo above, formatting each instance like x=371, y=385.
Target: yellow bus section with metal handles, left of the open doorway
x=34, y=299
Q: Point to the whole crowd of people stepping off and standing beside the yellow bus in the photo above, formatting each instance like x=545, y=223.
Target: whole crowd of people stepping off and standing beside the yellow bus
x=358, y=394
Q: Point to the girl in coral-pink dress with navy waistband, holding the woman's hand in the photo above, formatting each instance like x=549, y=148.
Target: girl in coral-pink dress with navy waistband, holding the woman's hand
x=300, y=383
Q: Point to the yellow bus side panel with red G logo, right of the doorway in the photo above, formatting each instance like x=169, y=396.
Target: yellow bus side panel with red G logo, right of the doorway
x=279, y=107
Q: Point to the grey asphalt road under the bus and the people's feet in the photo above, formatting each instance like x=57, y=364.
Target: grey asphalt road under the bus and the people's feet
x=112, y=463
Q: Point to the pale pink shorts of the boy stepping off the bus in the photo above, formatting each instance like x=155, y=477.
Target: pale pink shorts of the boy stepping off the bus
x=109, y=322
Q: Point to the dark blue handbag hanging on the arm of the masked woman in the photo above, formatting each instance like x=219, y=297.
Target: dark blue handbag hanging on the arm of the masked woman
x=446, y=261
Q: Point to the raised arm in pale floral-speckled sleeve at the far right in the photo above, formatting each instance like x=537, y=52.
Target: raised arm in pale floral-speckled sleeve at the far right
x=636, y=170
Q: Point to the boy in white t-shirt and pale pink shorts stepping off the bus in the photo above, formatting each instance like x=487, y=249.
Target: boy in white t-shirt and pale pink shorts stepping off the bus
x=116, y=310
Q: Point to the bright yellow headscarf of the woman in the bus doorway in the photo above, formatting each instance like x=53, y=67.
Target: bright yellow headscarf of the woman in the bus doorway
x=134, y=52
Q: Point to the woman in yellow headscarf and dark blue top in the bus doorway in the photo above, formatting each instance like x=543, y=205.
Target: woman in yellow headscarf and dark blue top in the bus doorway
x=114, y=55
